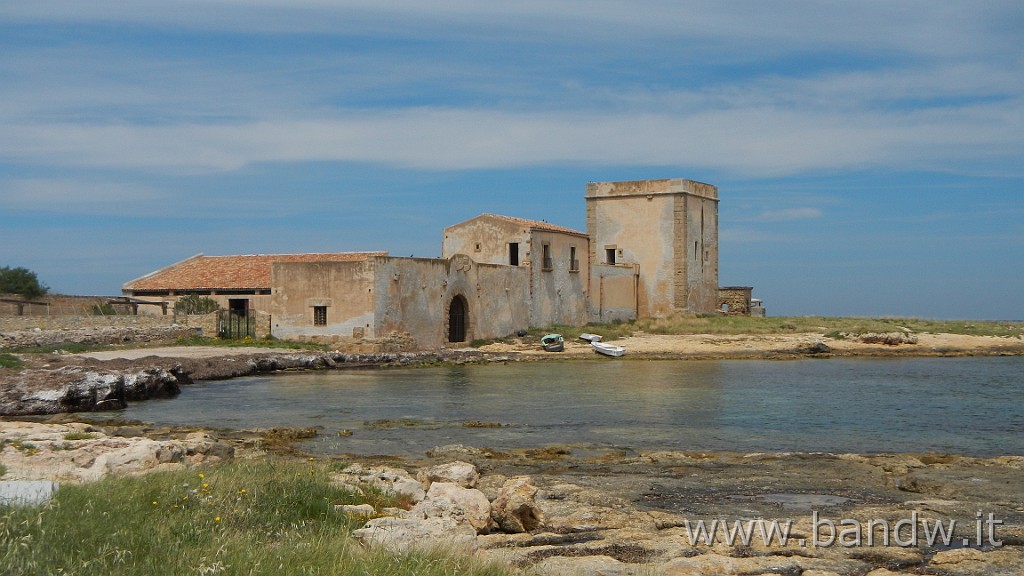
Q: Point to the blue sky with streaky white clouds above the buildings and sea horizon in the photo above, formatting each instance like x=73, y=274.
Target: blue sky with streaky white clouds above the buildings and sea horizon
x=870, y=156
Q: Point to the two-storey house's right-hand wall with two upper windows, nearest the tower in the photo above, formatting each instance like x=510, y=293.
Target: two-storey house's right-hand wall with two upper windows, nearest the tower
x=560, y=285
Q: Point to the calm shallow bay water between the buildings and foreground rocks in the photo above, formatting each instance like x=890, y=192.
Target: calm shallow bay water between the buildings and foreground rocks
x=971, y=406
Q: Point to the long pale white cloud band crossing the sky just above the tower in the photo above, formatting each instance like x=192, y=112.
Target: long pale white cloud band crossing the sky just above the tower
x=757, y=141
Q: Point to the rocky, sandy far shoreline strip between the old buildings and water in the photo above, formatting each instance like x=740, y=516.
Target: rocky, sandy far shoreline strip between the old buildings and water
x=64, y=383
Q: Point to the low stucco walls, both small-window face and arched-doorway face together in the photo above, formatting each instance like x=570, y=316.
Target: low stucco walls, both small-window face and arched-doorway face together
x=410, y=296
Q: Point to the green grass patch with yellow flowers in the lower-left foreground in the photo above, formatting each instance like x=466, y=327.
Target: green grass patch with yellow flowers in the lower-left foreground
x=244, y=518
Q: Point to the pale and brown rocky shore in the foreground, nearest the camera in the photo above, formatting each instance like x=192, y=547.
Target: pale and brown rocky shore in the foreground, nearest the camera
x=559, y=511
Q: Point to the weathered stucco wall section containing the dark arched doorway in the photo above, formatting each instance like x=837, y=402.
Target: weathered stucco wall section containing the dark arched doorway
x=414, y=296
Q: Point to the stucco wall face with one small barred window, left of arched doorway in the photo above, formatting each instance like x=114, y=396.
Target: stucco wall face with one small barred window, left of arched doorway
x=346, y=290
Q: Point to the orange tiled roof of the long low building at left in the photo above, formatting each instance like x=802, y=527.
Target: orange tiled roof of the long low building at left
x=231, y=273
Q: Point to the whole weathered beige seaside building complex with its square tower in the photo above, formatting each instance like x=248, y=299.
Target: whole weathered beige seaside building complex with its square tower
x=651, y=250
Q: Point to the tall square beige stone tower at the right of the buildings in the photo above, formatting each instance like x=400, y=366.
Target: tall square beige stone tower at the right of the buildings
x=668, y=231
